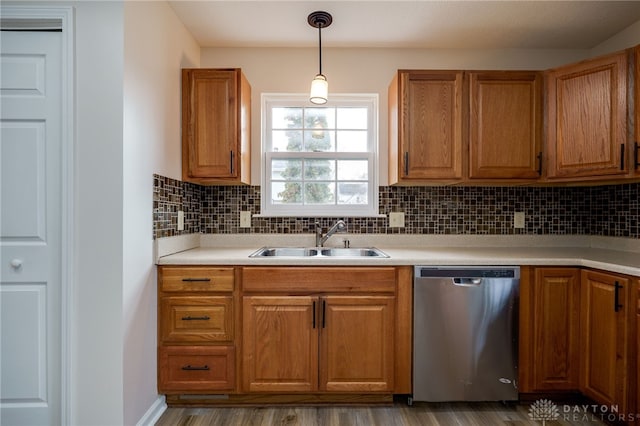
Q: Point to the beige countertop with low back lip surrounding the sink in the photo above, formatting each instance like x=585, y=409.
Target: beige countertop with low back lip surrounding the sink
x=610, y=254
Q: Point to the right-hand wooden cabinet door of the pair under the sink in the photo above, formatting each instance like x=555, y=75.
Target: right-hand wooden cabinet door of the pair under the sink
x=357, y=343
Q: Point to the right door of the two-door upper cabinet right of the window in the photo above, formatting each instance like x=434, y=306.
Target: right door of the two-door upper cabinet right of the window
x=505, y=125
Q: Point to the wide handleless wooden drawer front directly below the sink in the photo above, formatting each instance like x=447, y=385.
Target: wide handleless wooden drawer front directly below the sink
x=319, y=280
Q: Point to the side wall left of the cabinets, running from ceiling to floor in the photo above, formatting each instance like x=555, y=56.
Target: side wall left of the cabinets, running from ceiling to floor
x=157, y=47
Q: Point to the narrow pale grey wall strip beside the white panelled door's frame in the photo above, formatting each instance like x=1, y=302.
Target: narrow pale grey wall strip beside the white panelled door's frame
x=97, y=355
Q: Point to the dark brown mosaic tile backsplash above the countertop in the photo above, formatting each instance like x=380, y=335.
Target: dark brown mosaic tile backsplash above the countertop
x=610, y=210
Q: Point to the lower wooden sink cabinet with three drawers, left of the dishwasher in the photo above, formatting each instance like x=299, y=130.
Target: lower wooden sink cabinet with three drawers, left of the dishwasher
x=329, y=333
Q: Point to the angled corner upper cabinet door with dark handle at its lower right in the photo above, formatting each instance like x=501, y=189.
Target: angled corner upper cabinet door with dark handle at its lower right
x=587, y=118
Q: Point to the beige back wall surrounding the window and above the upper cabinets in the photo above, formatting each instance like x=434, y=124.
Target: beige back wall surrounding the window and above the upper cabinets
x=273, y=70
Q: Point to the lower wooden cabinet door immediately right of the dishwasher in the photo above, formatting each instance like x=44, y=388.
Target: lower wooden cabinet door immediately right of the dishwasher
x=554, y=320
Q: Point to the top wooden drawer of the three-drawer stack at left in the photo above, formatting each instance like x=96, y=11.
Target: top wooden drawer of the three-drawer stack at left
x=195, y=278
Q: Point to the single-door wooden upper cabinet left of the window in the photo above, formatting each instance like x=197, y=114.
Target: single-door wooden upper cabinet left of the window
x=216, y=120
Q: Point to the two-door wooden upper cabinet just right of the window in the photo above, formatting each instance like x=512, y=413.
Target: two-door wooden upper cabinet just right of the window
x=457, y=127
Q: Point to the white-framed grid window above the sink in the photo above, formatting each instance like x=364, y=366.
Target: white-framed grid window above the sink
x=319, y=160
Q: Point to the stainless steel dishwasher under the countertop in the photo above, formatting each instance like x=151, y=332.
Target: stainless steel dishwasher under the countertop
x=465, y=345
